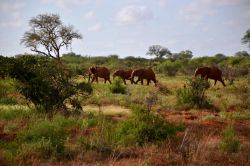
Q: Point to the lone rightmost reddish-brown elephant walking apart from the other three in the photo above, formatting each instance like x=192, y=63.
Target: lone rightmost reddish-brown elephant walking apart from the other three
x=210, y=72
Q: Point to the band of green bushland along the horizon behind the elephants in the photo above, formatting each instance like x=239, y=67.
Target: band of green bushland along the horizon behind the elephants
x=232, y=66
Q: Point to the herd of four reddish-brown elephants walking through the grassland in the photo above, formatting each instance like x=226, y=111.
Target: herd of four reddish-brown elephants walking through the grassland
x=148, y=74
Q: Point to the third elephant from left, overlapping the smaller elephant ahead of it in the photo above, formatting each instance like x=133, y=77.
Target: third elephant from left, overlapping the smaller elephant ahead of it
x=147, y=74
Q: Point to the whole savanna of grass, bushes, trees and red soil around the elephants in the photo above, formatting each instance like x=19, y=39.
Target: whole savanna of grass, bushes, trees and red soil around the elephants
x=50, y=113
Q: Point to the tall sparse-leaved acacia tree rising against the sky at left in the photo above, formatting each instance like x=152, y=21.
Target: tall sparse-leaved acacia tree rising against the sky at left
x=48, y=35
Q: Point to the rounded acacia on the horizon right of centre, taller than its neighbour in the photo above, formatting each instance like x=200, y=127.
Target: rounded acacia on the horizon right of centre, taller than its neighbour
x=159, y=51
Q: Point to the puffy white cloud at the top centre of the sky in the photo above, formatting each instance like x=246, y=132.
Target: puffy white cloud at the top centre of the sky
x=133, y=14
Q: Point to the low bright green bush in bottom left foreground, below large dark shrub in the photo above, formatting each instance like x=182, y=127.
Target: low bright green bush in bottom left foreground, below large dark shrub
x=45, y=136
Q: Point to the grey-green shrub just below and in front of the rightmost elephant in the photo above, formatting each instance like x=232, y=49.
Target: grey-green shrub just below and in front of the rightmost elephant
x=193, y=94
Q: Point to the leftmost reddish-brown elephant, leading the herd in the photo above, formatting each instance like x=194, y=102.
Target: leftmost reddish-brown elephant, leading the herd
x=101, y=72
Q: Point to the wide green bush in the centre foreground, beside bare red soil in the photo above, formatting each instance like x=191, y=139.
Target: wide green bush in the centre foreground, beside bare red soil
x=143, y=127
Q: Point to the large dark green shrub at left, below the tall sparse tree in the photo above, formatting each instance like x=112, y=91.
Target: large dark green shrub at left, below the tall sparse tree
x=45, y=82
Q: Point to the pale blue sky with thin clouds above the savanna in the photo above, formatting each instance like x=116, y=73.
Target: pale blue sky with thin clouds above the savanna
x=129, y=27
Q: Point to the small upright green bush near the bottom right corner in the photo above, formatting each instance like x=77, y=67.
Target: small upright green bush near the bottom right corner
x=230, y=143
